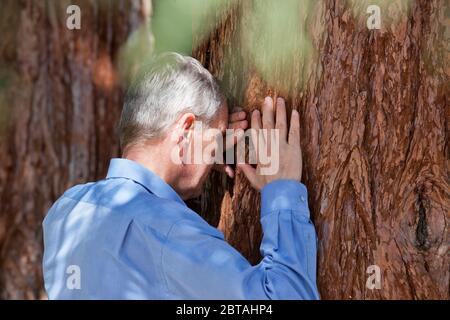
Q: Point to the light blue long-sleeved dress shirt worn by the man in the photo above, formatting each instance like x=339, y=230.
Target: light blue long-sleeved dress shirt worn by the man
x=131, y=236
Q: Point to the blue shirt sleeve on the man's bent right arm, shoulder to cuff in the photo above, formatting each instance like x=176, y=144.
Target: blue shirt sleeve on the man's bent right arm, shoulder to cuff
x=199, y=264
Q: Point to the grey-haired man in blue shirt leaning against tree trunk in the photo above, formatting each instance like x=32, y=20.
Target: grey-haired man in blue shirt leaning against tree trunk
x=131, y=236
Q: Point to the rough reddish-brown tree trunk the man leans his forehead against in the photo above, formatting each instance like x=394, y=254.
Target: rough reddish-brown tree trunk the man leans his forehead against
x=374, y=109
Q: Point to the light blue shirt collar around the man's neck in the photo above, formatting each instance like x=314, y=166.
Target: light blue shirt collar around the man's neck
x=128, y=169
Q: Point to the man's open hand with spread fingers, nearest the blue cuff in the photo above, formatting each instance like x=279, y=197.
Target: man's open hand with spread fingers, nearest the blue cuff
x=290, y=160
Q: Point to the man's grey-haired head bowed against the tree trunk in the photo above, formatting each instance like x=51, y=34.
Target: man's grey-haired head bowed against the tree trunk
x=163, y=109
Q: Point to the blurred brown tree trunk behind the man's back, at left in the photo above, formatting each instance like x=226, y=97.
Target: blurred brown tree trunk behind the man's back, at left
x=63, y=98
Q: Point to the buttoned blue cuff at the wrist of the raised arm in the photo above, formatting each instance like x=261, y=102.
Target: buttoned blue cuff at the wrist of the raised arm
x=284, y=195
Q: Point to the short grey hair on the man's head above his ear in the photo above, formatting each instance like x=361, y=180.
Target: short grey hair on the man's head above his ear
x=169, y=86
